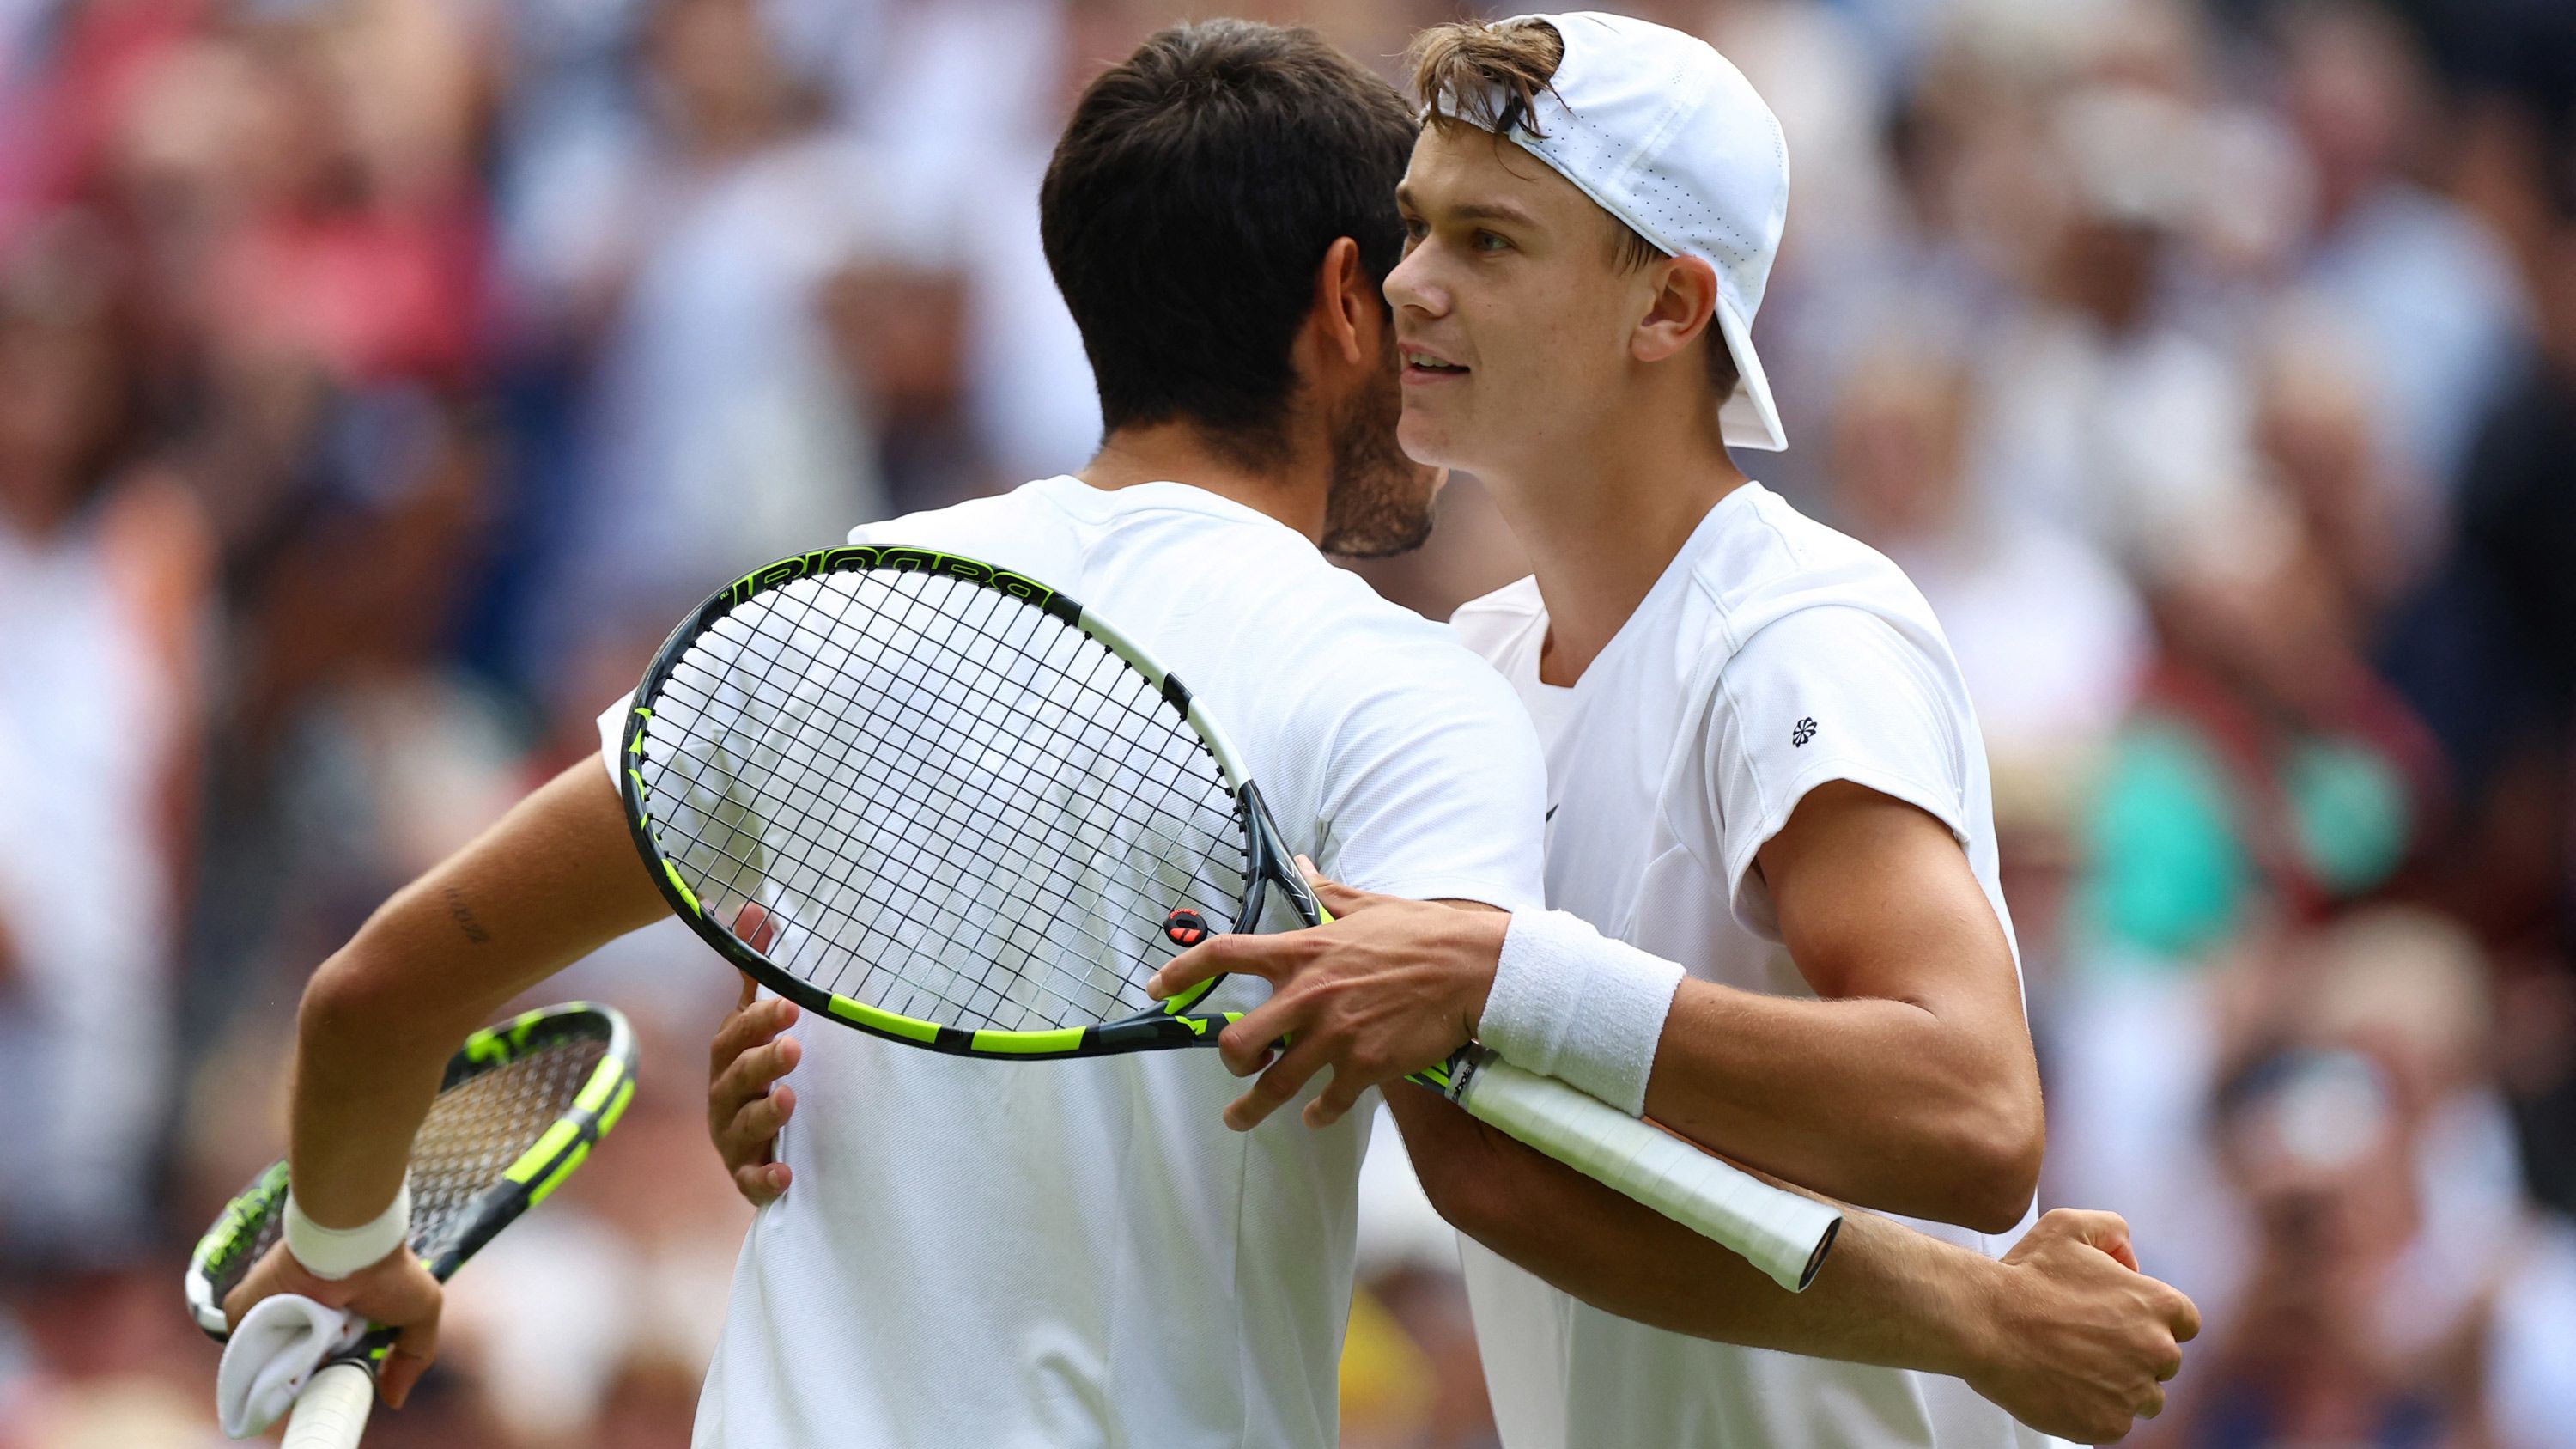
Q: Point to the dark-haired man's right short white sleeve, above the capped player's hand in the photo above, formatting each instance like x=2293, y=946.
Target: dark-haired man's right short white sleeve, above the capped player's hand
x=1434, y=783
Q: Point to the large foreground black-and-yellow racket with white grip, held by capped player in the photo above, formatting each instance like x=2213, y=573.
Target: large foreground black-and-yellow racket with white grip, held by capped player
x=947, y=806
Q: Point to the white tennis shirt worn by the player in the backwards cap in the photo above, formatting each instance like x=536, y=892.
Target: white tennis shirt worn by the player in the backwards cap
x=1771, y=656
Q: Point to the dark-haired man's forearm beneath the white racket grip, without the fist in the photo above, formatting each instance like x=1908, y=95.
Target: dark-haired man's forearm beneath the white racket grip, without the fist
x=1887, y=1296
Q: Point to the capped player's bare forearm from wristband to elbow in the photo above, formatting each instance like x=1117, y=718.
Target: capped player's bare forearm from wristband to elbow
x=1871, y=1102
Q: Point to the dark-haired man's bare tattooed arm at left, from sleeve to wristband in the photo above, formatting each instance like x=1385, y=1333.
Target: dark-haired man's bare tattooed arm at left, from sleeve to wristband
x=380, y=1020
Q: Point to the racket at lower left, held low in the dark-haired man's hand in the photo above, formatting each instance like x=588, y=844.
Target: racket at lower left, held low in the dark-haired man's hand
x=514, y=1118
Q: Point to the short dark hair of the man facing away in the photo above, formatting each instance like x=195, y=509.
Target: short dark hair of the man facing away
x=1191, y=202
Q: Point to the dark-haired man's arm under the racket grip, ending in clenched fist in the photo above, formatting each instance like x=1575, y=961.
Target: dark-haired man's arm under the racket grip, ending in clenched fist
x=2065, y=1334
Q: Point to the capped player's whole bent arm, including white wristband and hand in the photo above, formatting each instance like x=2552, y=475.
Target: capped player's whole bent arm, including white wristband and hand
x=1908, y=1084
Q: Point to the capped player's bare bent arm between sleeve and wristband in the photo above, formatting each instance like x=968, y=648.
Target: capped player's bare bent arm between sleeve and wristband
x=1910, y=1084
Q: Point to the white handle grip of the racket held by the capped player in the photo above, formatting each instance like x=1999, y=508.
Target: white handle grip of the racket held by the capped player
x=1774, y=1229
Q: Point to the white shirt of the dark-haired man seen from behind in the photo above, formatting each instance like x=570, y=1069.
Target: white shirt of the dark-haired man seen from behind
x=1081, y=1254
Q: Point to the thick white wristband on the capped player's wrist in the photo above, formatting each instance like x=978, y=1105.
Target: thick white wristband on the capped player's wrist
x=1578, y=1007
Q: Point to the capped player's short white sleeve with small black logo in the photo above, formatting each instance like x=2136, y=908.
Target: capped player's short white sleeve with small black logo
x=1830, y=695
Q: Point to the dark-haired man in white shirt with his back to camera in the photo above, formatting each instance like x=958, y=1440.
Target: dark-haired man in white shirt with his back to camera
x=1083, y=1252
